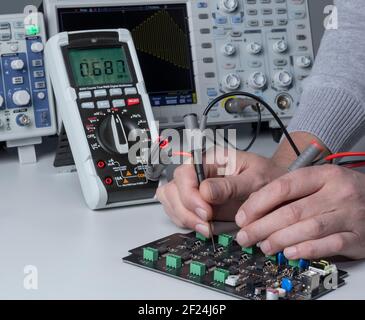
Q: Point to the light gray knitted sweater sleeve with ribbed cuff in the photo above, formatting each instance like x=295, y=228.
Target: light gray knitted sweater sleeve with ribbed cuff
x=333, y=101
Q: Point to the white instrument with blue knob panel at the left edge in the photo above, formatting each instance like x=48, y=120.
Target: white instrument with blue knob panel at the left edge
x=26, y=105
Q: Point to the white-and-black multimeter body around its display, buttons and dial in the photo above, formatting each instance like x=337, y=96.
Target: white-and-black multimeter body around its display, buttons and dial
x=129, y=183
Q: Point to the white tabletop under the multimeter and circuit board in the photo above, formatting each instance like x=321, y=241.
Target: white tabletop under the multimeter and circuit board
x=44, y=222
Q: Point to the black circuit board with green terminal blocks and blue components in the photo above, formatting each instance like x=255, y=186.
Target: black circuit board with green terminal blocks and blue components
x=244, y=273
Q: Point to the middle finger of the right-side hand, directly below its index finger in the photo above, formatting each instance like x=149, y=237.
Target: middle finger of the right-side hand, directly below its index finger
x=284, y=217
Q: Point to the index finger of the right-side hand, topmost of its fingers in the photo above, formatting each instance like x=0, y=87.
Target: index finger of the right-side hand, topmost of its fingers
x=292, y=186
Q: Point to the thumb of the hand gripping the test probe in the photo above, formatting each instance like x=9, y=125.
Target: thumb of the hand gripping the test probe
x=220, y=190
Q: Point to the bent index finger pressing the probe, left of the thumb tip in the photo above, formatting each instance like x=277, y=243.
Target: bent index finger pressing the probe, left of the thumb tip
x=188, y=189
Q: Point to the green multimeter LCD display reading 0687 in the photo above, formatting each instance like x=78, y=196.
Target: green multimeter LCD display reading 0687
x=93, y=67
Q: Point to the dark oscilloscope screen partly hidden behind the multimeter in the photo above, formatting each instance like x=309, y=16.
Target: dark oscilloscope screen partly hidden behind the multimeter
x=161, y=36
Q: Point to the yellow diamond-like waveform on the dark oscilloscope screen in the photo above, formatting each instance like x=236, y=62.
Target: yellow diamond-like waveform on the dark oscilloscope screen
x=161, y=37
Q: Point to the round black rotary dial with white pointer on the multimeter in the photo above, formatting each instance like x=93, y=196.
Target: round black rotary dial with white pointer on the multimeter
x=112, y=135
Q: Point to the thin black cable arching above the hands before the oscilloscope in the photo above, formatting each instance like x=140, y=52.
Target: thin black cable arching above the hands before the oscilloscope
x=260, y=101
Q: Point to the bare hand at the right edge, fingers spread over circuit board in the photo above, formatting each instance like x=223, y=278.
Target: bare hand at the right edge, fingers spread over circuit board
x=310, y=213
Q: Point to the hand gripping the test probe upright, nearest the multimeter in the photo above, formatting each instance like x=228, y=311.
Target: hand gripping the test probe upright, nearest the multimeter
x=227, y=186
